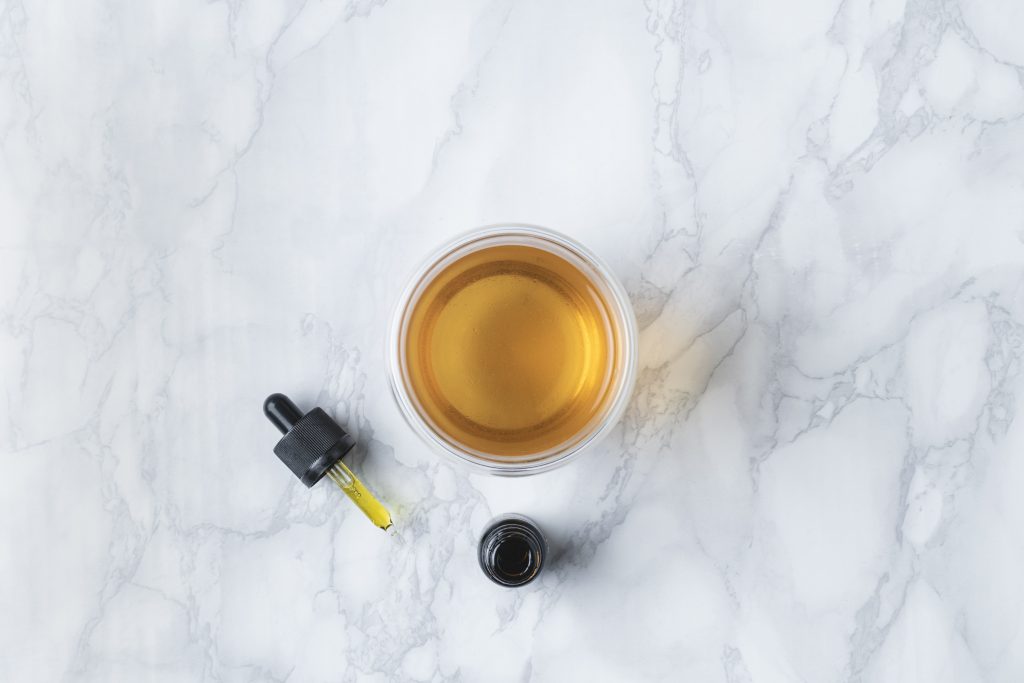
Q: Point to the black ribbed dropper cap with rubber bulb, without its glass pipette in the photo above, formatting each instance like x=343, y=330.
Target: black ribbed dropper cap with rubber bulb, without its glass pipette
x=312, y=443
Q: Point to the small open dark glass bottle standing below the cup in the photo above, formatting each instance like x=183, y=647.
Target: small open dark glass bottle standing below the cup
x=513, y=550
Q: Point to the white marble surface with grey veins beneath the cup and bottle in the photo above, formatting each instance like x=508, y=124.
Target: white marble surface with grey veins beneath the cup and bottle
x=818, y=208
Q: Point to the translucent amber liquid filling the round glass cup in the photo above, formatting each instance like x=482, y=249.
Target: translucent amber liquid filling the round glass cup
x=511, y=352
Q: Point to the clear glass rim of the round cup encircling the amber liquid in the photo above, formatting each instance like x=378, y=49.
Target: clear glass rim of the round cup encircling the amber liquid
x=623, y=340
